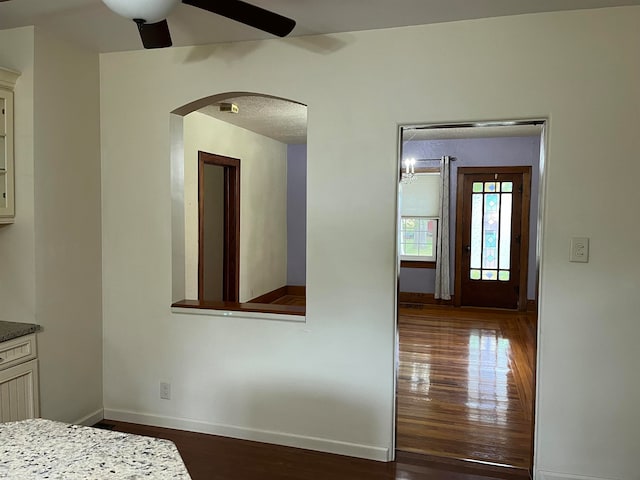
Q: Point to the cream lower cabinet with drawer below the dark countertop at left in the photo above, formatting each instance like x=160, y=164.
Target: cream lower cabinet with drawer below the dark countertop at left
x=19, y=397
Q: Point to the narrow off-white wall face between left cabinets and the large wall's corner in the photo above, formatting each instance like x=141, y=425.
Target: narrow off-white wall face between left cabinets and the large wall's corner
x=68, y=228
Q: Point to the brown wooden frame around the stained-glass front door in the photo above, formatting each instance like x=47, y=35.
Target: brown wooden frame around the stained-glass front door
x=524, y=228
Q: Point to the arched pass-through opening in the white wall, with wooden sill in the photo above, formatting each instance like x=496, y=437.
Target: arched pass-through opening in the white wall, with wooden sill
x=239, y=205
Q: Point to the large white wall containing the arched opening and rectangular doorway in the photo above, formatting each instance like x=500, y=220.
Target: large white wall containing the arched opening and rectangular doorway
x=329, y=383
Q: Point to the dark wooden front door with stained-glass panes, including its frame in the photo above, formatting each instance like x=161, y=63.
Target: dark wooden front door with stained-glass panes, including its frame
x=492, y=237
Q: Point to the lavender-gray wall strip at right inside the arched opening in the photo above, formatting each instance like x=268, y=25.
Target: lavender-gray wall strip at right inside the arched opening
x=296, y=214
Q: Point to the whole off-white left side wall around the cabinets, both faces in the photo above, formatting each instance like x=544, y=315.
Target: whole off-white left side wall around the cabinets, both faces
x=51, y=256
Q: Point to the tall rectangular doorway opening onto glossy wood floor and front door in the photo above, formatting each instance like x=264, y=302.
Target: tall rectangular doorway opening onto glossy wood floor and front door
x=469, y=228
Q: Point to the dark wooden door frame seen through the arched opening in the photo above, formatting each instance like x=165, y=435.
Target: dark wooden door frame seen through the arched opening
x=231, y=257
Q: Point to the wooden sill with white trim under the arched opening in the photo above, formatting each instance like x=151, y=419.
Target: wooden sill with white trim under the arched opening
x=262, y=311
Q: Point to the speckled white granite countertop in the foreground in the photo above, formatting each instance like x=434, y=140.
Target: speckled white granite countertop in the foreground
x=43, y=449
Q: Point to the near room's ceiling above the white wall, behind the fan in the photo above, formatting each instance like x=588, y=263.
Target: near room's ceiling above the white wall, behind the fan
x=92, y=24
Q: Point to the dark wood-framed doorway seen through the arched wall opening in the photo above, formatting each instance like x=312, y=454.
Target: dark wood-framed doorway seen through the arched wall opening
x=218, y=228
